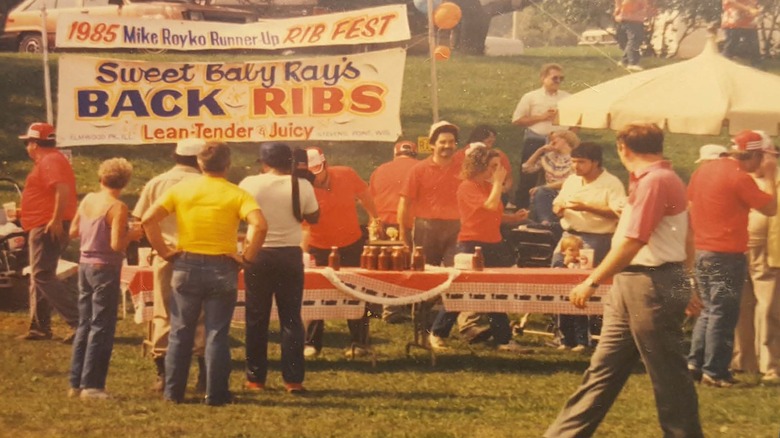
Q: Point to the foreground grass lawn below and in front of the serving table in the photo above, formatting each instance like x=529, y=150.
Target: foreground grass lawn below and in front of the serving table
x=472, y=392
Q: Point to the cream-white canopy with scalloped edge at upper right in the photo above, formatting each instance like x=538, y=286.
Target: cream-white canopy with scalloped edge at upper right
x=697, y=96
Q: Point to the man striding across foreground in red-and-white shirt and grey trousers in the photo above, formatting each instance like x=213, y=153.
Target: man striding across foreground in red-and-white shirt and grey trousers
x=645, y=307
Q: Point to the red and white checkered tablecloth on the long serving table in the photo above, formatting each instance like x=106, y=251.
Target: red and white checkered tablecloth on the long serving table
x=511, y=290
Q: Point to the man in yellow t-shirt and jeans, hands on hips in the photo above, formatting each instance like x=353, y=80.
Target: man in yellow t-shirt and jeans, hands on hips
x=205, y=267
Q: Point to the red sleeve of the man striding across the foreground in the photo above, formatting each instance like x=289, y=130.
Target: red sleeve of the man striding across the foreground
x=648, y=206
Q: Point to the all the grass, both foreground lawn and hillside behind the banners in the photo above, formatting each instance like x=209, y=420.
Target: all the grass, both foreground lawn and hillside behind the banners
x=473, y=391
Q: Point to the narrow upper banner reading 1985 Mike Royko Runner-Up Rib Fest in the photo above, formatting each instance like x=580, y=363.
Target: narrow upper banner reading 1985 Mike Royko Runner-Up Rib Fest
x=105, y=31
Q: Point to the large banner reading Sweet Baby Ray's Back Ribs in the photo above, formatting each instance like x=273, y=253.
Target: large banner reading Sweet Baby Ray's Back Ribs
x=347, y=97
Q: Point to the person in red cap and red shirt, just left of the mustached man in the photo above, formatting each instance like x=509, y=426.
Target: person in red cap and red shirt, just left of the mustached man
x=385, y=187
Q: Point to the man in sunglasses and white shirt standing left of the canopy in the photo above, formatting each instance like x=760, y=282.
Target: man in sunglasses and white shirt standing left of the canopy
x=537, y=111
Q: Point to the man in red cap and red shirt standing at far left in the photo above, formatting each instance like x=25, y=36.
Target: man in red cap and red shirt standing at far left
x=48, y=205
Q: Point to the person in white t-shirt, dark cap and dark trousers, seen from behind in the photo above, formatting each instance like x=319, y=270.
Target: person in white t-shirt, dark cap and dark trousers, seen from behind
x=277, y=271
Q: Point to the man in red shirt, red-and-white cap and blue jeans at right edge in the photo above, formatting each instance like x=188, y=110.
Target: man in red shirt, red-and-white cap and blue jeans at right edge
x=721, y=194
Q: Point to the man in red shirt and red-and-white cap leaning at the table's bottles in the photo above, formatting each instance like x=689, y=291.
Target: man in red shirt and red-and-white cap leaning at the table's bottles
x=336, y=189
